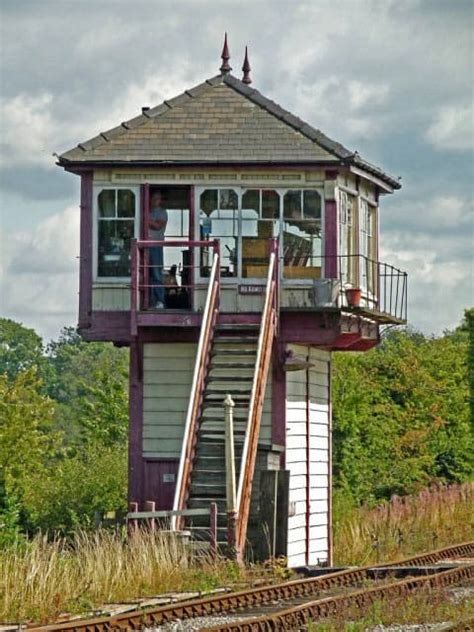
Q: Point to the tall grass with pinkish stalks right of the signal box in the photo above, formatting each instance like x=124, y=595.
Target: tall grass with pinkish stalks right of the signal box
x=437, y=516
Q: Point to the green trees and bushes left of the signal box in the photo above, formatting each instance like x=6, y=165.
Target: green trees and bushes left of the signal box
x=63, y=431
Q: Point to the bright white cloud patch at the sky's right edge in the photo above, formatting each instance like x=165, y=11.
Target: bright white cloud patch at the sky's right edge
x=452, y=128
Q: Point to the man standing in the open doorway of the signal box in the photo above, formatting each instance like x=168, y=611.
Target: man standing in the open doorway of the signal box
x=156, y=232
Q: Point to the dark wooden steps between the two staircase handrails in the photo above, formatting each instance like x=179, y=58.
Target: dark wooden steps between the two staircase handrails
x=230, y=370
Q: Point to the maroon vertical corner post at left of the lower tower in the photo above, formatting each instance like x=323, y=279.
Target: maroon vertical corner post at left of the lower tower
x=135, y=437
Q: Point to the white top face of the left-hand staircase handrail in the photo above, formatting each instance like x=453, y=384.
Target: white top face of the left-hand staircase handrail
x=204, y=326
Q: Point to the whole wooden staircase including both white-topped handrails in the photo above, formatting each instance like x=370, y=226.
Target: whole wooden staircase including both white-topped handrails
x=231, y=359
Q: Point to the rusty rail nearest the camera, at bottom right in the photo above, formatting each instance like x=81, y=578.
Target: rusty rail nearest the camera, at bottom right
x=298, y=617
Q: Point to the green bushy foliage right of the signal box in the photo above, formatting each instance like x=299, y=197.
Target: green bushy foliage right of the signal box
x=401, y=415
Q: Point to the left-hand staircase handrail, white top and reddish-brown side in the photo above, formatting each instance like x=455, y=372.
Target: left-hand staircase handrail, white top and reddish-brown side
x=197, y=389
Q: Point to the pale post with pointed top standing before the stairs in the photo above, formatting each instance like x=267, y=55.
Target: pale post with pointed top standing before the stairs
x=231, y=494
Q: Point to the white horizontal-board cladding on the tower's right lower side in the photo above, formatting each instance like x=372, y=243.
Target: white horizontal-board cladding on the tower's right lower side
x=307, y=458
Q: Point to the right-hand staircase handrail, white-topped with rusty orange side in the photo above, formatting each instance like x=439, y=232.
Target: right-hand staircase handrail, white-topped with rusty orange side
x=268, y=329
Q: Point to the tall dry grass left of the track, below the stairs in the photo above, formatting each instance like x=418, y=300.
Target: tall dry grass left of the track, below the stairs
x=41, y=579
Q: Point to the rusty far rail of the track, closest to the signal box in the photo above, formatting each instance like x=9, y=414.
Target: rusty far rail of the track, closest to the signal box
x=256, y=596
